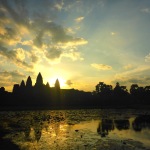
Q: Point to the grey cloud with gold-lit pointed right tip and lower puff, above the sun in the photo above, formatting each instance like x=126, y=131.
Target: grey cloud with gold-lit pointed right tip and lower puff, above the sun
x=58, y=43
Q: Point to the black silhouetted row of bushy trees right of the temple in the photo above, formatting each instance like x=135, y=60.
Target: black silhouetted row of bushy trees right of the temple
x=119, y=95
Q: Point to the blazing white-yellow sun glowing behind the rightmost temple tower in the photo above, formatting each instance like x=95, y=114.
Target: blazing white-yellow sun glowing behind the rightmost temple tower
x=62, y=81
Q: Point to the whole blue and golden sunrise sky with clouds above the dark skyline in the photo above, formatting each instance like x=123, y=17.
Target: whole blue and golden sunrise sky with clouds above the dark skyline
x=80, y=42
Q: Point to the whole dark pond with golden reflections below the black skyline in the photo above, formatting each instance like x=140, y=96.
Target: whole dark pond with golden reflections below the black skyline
x=91, y=129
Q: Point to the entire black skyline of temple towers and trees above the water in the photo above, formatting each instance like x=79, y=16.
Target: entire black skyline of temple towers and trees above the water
x=41, y=96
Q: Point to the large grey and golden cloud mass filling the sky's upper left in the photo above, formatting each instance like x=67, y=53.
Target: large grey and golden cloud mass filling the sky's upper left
x=36, y=32
